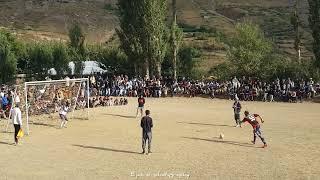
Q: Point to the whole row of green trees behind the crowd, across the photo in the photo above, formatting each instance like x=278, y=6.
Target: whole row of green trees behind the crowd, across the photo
x=151, y=44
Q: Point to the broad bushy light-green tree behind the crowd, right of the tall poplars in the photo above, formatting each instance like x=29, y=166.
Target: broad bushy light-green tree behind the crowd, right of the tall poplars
x=250, y=53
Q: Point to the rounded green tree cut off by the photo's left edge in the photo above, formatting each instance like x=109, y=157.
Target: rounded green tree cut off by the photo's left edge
x=8, y=61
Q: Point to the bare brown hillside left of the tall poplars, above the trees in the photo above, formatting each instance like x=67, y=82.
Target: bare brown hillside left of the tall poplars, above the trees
x=49, y=19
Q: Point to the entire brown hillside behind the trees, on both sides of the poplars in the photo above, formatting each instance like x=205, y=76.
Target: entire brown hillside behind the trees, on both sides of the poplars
x=49, y=19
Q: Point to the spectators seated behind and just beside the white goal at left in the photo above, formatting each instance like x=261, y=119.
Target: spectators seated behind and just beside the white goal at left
x=49, y=98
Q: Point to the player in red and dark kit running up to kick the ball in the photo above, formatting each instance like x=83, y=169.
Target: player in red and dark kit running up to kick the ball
x=252, y=119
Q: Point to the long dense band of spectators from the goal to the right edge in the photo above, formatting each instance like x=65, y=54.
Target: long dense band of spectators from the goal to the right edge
x=246, y=89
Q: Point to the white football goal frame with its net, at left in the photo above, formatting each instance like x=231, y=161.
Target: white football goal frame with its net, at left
x=43, y=100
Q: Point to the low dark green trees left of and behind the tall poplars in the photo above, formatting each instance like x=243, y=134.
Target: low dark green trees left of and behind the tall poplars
x=35, y=59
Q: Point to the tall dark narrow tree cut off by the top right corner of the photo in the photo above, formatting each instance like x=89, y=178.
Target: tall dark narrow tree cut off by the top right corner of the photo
x=314, y=21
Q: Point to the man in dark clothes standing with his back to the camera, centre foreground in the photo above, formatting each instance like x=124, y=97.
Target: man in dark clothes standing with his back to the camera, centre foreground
x=146, y=125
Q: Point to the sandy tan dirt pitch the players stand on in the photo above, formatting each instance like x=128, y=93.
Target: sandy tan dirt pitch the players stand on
x=185, y=144
